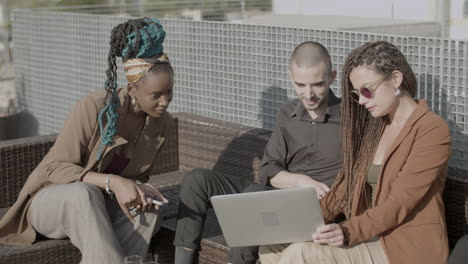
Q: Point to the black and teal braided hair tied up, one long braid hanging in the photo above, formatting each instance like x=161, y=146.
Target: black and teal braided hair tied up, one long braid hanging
x=136, y=38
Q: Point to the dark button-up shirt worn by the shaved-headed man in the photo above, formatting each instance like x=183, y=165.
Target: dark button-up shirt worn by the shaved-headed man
x=300, y=144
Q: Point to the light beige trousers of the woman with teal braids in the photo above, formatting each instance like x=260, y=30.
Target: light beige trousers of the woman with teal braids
x=93, y=221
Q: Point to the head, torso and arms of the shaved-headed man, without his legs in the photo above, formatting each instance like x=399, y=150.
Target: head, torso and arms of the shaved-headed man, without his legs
x=305, y=147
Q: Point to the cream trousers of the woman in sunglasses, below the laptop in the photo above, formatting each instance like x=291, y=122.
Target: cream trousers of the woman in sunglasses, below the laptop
x=370, y=252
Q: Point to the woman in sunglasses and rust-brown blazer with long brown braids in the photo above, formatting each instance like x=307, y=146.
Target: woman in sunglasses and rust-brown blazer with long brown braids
x=395, y=158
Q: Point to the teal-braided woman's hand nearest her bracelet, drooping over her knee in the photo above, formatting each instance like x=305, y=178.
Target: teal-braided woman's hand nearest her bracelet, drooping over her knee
x=128, y=195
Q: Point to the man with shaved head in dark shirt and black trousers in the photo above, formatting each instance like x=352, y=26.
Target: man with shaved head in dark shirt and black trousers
x=304, y=150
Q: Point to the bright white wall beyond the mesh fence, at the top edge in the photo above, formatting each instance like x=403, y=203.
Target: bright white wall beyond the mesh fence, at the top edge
x=398, y=9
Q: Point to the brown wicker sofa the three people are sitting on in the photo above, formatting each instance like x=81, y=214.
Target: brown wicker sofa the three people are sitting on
x=197, y=142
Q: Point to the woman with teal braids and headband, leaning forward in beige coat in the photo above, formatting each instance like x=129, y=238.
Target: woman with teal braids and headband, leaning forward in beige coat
x=91, y=187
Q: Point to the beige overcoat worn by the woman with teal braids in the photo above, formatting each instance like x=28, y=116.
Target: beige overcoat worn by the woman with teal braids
x=74, y=154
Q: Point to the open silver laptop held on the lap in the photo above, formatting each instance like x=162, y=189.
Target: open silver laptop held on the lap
x=268, y=217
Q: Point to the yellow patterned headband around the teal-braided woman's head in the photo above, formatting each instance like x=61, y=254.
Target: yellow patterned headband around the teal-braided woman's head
x=137, y=68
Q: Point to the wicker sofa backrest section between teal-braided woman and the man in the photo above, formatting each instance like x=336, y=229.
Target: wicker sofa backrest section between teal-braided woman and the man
x=221, y=146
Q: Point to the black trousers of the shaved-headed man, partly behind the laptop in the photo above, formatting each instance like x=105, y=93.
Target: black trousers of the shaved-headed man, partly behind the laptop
x=196, y=189
